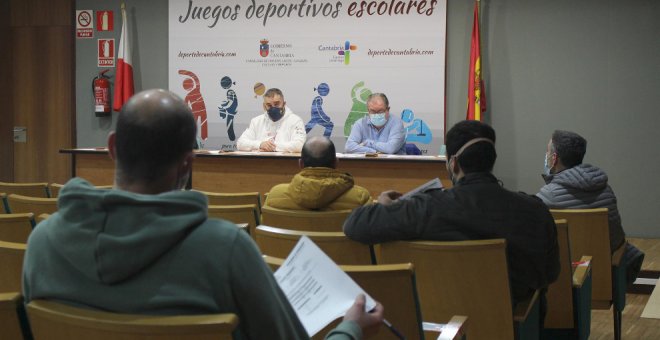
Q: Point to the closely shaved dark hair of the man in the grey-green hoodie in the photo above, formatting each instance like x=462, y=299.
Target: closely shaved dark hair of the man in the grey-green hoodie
x=153, y=134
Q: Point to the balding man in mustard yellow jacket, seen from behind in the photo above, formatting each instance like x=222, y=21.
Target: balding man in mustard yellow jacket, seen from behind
x=319, y=186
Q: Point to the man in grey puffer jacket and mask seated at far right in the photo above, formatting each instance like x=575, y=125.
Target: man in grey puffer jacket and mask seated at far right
x=570, y=184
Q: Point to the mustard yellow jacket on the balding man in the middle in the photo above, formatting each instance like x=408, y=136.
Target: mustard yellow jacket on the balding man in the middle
x=318, y=189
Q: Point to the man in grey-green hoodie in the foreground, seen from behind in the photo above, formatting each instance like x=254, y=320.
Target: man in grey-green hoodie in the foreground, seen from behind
x=146, y=247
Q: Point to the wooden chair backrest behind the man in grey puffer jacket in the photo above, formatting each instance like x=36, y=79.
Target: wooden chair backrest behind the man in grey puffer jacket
x=588, y=232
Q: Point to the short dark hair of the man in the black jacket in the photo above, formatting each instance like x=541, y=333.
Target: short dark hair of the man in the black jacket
x=479, y=157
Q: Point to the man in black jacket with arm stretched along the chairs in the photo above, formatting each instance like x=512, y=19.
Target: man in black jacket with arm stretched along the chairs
x=477, y=207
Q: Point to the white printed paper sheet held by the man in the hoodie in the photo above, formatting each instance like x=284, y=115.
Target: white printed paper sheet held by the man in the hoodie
x=316, y=287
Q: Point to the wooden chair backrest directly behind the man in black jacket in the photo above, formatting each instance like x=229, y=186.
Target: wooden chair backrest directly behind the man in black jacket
x=467, y=278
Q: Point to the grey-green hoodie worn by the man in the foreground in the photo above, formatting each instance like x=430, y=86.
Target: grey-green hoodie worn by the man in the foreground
x=154, y=254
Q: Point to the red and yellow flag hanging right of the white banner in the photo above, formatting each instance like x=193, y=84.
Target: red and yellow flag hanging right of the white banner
x=476, y=105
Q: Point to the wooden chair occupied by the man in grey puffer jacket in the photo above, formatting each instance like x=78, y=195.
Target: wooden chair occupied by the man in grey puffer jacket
x=588, y=232
